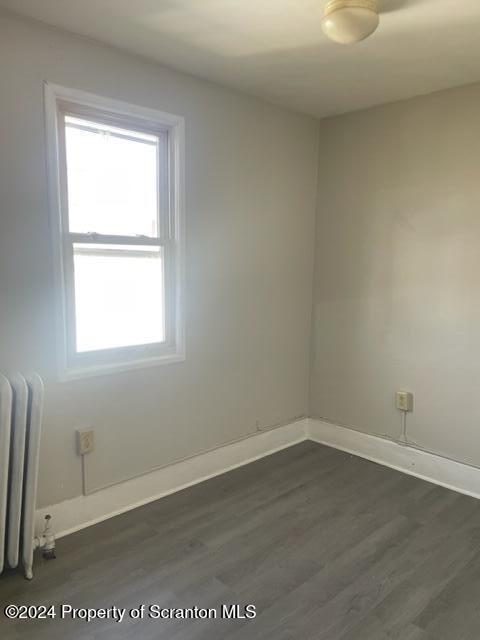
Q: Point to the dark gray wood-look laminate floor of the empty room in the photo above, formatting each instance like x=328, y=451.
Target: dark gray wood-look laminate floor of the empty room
x=326, y=545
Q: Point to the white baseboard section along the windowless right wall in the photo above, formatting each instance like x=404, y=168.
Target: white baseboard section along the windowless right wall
x=421, y=464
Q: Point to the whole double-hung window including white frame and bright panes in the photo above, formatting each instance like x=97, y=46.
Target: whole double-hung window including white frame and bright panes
x=116, y=196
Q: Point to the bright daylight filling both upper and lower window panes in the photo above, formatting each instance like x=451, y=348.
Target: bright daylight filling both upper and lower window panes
x=112, y=189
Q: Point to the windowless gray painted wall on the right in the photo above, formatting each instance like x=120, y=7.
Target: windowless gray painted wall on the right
x=397, y=293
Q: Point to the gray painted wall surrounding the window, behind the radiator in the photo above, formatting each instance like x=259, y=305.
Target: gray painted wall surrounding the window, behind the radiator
x=251, y=188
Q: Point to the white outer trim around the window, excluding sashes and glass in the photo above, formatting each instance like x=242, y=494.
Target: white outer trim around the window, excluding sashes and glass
x=128, y=358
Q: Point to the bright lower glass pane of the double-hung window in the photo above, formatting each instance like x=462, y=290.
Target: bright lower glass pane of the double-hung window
x=119, y=296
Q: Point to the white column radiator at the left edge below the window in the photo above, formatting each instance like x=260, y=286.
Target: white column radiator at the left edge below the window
x=21, y=404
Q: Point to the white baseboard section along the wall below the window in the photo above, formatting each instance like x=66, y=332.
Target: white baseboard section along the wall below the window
x=84, y=511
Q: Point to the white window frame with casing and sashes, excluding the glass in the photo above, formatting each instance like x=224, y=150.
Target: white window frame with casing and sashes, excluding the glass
x=72, y=364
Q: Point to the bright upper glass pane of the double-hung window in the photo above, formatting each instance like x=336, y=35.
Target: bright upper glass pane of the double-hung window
x=111, y=178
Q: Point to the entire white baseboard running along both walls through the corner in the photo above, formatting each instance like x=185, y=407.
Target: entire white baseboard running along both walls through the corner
x=84, y=511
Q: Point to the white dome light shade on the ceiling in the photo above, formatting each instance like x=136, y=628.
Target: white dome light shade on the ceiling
x=349, y=21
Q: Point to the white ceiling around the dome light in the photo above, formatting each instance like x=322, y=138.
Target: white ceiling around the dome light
x=276, y=48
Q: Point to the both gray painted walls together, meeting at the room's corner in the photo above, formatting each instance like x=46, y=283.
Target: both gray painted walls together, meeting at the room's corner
x=396, y=294
